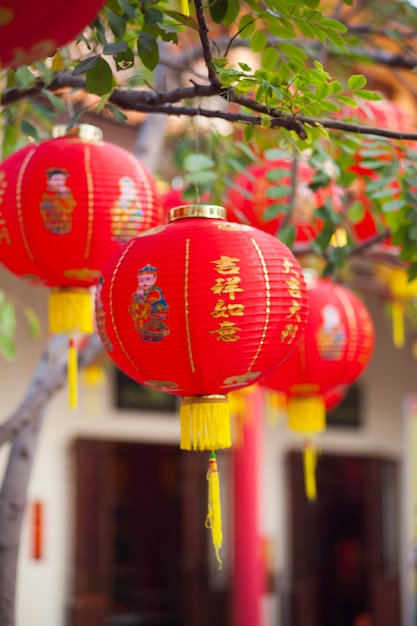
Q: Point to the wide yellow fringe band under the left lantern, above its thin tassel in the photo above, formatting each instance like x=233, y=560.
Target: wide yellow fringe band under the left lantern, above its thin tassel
x=70, y=310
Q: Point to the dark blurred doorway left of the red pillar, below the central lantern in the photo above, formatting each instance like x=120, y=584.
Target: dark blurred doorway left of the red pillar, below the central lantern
x=141, y=548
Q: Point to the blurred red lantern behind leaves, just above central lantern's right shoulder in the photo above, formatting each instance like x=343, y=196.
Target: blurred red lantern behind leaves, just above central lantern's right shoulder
x=249, y=200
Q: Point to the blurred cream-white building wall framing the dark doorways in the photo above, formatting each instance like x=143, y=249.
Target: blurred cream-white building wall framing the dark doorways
x=43, y=586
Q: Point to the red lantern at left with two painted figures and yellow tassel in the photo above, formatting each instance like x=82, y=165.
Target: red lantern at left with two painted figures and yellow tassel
x=65, y=206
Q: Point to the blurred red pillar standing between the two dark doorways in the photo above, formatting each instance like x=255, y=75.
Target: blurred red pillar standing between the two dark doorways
x=249, y=571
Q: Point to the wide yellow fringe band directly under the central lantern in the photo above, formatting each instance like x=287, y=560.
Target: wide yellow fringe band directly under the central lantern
x=204, y=422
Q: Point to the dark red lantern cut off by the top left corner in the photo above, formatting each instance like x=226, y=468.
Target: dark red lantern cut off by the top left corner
x=32, y=31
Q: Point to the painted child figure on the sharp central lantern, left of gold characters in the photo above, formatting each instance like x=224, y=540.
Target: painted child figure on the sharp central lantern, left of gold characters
x=149, y=308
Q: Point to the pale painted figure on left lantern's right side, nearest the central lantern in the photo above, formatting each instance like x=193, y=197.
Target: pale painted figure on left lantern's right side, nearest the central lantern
x=127, y=213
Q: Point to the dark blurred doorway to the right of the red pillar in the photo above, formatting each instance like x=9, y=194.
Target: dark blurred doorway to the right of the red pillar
x=344, y=546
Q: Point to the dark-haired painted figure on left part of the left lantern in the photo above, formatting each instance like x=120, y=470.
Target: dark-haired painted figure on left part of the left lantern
x=57, y=204
